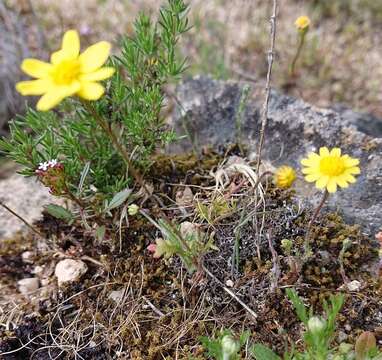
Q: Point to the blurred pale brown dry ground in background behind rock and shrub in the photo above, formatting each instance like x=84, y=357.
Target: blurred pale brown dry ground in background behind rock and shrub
x=341, y=62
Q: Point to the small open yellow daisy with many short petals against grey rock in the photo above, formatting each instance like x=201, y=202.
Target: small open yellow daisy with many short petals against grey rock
x=329, y=169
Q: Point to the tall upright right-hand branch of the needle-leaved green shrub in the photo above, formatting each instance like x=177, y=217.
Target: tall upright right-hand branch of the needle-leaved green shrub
x=150, y=61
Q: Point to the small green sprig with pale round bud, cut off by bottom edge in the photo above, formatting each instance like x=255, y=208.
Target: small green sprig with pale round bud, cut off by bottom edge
x=225, y=346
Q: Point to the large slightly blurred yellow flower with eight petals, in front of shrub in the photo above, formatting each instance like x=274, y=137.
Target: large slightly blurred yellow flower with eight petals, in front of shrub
x=68, y=73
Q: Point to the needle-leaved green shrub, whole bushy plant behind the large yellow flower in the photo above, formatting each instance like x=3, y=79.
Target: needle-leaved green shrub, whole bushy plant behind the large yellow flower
x=90, y=140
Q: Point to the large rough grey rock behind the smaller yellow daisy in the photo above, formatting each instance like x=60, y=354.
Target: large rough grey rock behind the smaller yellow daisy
x=208, y=116
